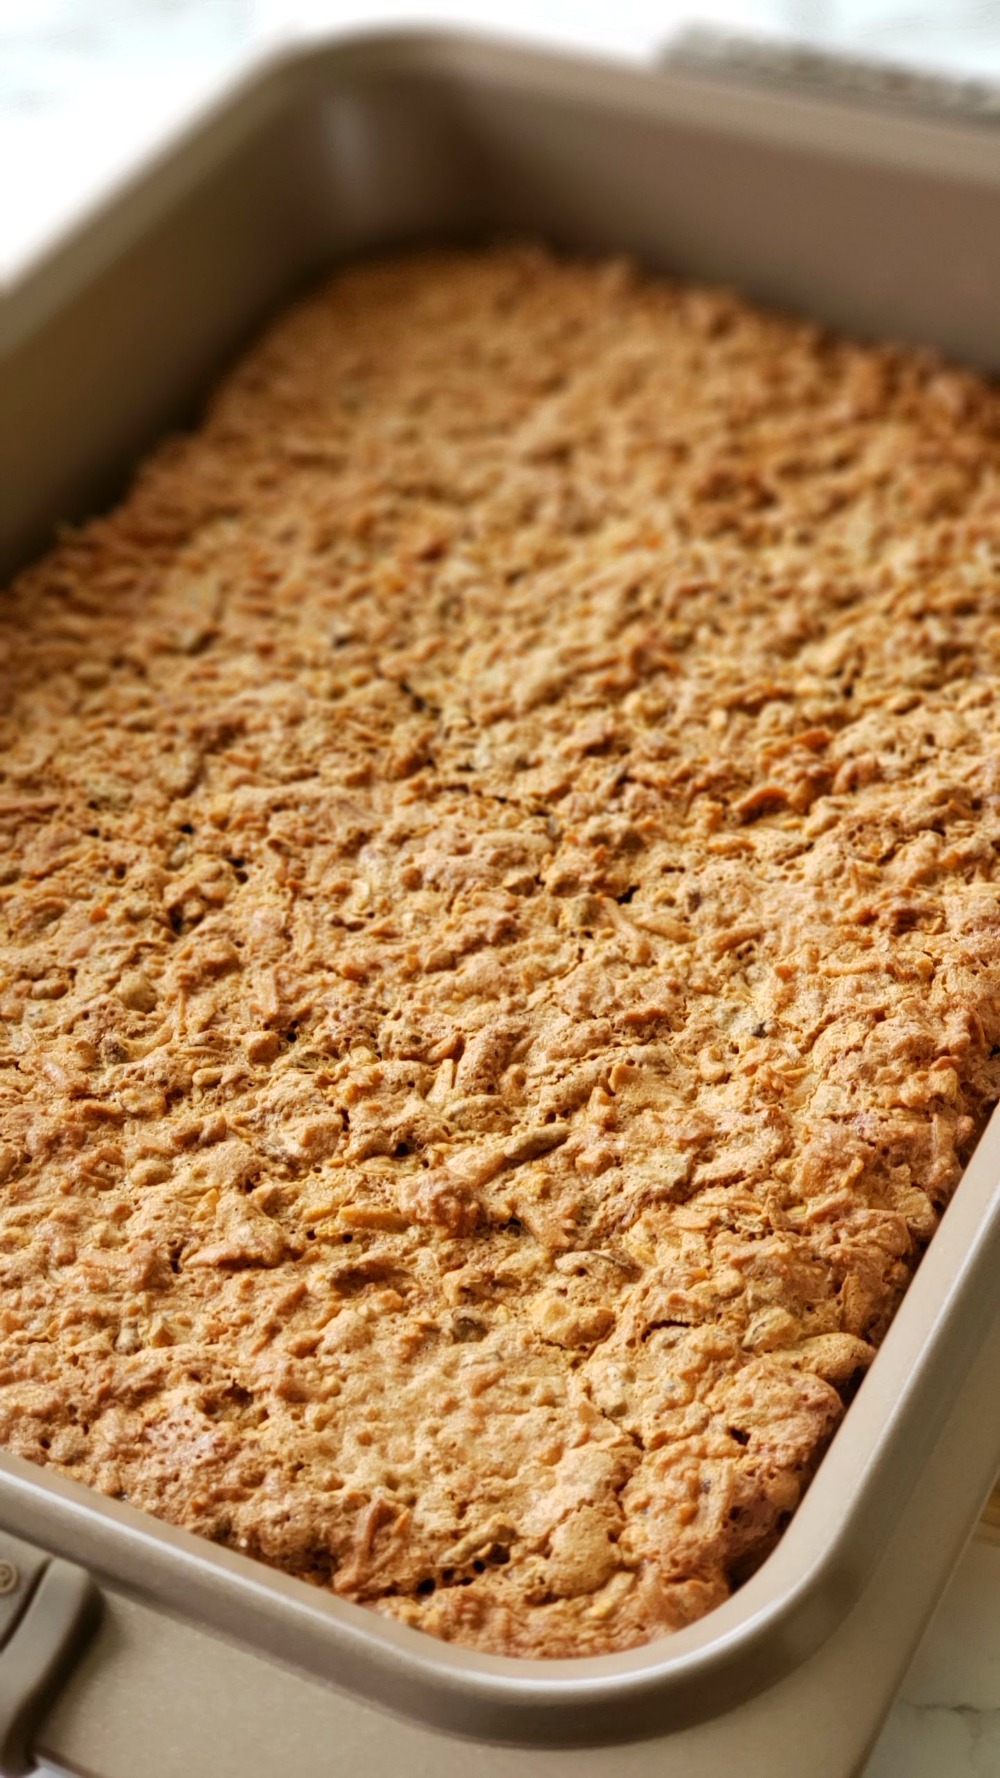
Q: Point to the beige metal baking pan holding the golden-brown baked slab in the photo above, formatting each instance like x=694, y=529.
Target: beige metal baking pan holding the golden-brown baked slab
x=880, y=225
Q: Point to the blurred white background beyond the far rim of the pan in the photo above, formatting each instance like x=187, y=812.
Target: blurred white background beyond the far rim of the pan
x=88, y=86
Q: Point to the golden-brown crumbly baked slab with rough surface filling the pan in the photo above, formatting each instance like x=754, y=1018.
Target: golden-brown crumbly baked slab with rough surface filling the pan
x=503, y=950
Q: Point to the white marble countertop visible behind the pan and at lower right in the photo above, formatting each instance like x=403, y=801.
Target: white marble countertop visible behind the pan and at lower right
x=86, y=86
